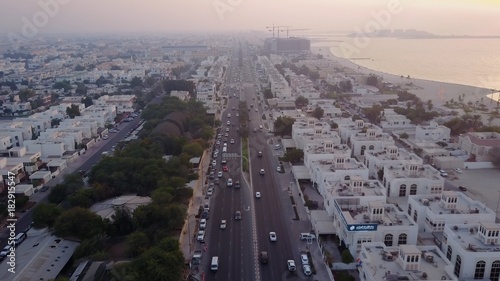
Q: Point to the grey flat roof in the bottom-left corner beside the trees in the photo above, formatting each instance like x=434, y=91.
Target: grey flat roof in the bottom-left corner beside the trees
x=41, y=256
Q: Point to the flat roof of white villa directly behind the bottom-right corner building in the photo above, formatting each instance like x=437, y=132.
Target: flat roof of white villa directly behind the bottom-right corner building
x=465, y=205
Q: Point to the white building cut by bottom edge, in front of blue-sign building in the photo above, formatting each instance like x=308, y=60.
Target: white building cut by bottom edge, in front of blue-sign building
x=404, y=262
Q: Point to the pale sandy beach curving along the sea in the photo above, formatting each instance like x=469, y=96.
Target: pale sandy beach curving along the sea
x=438, y=92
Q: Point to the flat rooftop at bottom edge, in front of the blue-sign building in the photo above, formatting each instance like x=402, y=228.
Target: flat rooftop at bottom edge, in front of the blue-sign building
x=374, y=264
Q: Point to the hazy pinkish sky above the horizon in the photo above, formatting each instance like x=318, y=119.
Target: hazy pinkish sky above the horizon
x=474, y=17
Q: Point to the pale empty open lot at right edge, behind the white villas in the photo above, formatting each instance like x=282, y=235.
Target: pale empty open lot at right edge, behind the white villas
x=482, y=185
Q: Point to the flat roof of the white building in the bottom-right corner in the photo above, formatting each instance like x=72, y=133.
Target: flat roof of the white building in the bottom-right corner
x=466, y=237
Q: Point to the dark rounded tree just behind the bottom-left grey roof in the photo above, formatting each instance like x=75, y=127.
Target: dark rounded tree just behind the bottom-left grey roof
x=80, y=223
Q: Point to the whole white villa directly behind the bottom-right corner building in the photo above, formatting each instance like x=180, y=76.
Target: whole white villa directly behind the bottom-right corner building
x=432, y=213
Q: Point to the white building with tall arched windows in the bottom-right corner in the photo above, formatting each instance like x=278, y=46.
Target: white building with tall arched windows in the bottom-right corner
x=473, y=250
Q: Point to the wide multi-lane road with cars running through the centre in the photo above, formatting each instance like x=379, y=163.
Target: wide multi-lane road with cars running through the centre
x=239, y=245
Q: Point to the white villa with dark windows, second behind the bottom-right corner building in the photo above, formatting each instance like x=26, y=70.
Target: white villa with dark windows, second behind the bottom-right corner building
x=410, y=178
